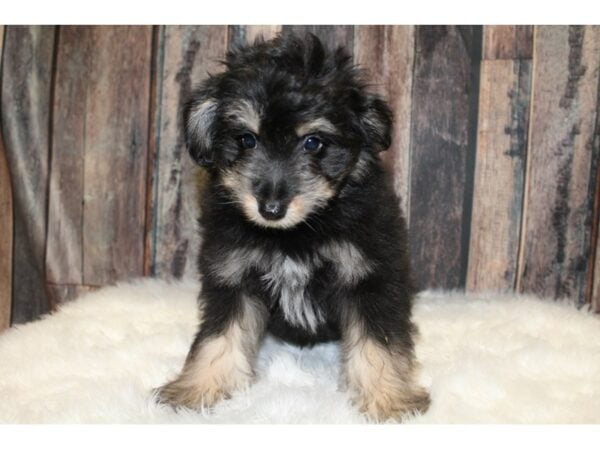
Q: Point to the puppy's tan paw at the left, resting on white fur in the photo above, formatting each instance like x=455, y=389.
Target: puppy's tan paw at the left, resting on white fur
x=194, y=396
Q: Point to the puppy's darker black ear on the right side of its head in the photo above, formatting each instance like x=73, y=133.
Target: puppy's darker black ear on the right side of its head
x=377, y=121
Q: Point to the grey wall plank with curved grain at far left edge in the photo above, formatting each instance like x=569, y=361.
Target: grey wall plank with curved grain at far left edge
x=26, y=93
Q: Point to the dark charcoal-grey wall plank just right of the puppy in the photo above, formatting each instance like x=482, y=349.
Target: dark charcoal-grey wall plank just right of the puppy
x=444, y=116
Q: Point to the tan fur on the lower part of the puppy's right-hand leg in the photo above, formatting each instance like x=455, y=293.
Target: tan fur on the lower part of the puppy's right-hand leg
x=382, y=379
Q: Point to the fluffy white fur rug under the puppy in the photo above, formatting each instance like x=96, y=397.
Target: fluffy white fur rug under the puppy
x=486, y=359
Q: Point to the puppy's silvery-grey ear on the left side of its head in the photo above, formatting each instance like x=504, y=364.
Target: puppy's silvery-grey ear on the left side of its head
x=199, y=118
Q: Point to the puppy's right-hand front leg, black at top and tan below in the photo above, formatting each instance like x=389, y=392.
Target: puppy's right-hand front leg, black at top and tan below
x=379, y=361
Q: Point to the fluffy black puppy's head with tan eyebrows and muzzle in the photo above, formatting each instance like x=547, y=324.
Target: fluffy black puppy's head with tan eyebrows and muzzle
x=284, y=127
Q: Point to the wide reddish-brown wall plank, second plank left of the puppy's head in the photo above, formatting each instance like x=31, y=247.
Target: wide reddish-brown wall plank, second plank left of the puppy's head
x=117, y=114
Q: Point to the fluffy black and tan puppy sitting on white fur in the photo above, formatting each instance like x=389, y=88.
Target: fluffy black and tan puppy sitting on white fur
x=303, y=237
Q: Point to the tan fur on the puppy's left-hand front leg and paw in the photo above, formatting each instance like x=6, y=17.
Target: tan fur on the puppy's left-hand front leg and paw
x=221, y=365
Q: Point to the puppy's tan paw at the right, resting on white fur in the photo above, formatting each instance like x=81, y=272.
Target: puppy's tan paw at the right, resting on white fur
x=381, y=406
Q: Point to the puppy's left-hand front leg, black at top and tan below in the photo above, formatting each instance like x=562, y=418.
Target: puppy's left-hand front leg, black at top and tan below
x=222, y=355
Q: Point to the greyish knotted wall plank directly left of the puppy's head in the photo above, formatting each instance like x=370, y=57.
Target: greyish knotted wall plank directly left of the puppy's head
x=185, y=56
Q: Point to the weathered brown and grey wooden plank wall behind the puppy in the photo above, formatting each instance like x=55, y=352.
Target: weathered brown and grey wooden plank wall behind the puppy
x=495, y=153
